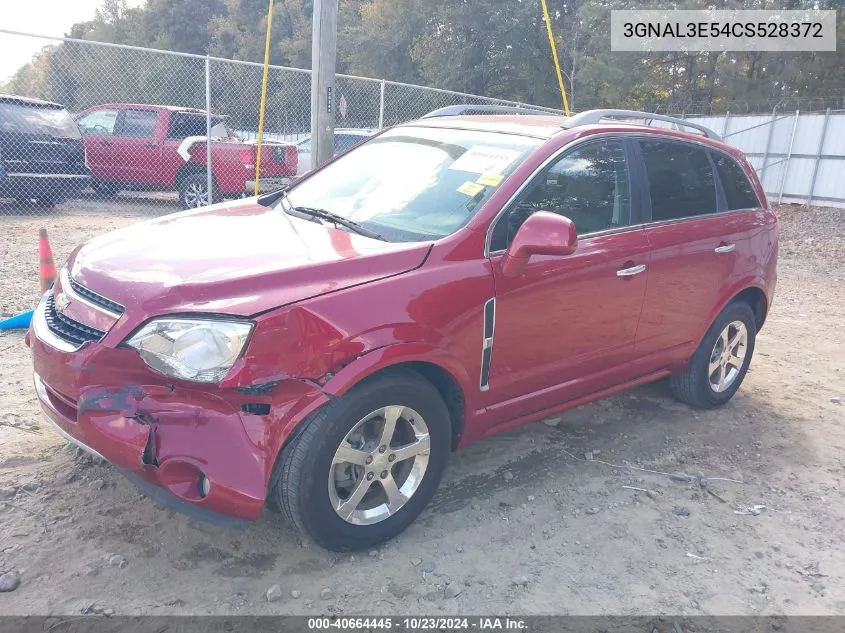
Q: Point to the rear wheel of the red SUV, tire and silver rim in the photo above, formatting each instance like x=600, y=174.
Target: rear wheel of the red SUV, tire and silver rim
x=718, y=367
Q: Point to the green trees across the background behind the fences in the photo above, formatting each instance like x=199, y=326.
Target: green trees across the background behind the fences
x=496, y=48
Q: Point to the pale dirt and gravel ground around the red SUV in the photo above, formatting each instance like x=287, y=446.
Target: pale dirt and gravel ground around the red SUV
x=535, y=521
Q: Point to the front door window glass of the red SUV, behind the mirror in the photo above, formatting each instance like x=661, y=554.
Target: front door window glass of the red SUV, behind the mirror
x=589, y=185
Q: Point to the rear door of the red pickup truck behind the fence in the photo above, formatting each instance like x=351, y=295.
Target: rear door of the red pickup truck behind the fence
x=137, y=151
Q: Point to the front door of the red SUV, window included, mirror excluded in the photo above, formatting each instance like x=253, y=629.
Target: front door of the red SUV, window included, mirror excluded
x=567, y=325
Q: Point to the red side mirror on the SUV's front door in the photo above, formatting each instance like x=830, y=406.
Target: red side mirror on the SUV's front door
x=542, y=233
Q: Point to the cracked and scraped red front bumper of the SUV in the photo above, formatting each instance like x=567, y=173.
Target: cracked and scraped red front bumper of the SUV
x=200, y=449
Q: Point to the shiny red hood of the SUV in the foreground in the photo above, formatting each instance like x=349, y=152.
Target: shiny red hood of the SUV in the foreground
x=236, y=258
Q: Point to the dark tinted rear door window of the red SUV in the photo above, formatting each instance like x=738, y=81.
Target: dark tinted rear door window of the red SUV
x=680, y=180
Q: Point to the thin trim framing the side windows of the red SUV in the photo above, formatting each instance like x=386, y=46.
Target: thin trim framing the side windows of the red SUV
x=621, y=229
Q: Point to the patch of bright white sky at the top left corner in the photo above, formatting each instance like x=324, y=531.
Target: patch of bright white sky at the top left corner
x=44, y=17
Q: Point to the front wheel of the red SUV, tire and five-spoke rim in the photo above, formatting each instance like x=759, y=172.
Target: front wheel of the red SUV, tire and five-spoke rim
x=363, y=467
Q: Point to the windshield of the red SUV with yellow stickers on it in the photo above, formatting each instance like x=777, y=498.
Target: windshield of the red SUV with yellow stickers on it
x=414, y=183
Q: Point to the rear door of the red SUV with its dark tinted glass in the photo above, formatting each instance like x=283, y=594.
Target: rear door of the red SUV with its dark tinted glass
x=699, y=240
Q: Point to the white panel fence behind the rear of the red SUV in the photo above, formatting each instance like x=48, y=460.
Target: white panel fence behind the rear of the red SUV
x=800, y=157
